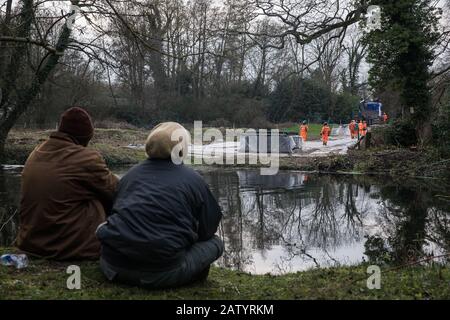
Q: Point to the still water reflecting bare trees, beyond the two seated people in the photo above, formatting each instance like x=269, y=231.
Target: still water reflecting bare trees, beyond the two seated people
x=295, y=221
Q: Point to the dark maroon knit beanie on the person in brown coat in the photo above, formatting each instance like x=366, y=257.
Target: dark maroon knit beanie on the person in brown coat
x=77, y=123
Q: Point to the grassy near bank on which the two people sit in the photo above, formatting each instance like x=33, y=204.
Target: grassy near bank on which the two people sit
x=47, y=280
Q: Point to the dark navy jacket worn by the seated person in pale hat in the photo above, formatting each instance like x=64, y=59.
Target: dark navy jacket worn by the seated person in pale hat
x=160, y=211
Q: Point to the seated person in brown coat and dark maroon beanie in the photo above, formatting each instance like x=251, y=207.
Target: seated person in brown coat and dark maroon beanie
x=67, y=190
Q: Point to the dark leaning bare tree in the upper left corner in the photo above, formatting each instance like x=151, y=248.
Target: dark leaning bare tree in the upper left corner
x=19, y=85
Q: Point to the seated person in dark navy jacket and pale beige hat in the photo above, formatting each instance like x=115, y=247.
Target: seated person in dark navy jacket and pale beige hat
x=162, y=229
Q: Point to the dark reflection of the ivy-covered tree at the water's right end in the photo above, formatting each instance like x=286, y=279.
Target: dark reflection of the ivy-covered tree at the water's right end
x=414, y=223
